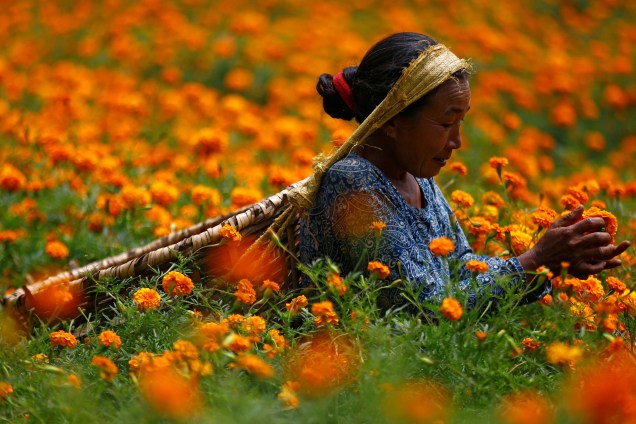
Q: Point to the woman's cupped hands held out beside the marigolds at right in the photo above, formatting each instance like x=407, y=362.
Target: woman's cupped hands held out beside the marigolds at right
x=582, y=244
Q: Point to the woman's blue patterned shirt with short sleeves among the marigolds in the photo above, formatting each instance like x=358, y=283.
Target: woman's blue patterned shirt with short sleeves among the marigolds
x=354, y=193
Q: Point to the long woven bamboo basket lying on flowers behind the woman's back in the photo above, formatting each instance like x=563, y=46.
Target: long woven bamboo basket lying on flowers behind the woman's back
x=200, y=242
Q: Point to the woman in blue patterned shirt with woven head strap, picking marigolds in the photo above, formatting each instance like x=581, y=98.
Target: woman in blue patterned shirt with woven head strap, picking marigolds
x=387, y=177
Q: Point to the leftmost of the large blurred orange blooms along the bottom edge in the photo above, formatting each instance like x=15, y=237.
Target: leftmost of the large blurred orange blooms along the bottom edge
x=170, y=393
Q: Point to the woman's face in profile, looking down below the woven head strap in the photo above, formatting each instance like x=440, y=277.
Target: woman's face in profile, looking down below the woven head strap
x=425, y=140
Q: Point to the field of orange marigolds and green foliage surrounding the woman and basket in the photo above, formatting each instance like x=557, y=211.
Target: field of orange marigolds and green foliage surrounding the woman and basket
x=125, y=121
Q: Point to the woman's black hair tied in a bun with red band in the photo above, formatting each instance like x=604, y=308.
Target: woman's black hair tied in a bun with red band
x=372, y=80
